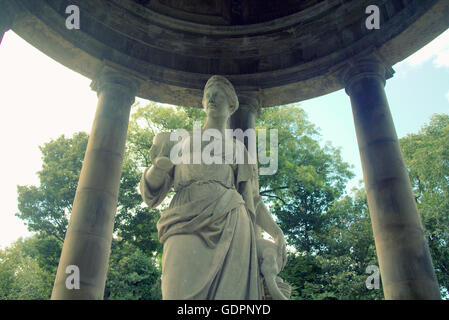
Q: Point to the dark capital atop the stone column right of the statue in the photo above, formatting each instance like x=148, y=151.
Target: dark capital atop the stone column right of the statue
x=360, y=69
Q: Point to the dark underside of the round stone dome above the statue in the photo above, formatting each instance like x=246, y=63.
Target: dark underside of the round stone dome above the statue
x=281, y=51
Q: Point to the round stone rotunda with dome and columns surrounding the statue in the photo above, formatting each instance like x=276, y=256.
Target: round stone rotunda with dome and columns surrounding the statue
x=274, y=52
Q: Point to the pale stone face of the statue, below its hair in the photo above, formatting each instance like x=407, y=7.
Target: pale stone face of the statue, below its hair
x=215, y=102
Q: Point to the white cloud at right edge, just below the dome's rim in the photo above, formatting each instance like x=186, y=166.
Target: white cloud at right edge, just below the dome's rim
x=437, y=51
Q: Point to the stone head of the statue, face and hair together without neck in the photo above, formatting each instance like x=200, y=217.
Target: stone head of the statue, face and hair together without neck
x=219, y=98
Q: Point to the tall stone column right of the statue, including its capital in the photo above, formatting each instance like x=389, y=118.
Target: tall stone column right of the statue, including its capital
x=405, y=263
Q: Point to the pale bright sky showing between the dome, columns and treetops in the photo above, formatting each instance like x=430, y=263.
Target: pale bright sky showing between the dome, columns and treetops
x=40, y=100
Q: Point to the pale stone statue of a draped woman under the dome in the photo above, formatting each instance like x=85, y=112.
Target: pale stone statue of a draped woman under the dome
x=213, y=224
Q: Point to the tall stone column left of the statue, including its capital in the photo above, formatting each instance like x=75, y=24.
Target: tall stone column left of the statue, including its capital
x=88, y=239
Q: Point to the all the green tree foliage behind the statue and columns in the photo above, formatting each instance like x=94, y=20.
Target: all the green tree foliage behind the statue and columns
x=329, y=232
